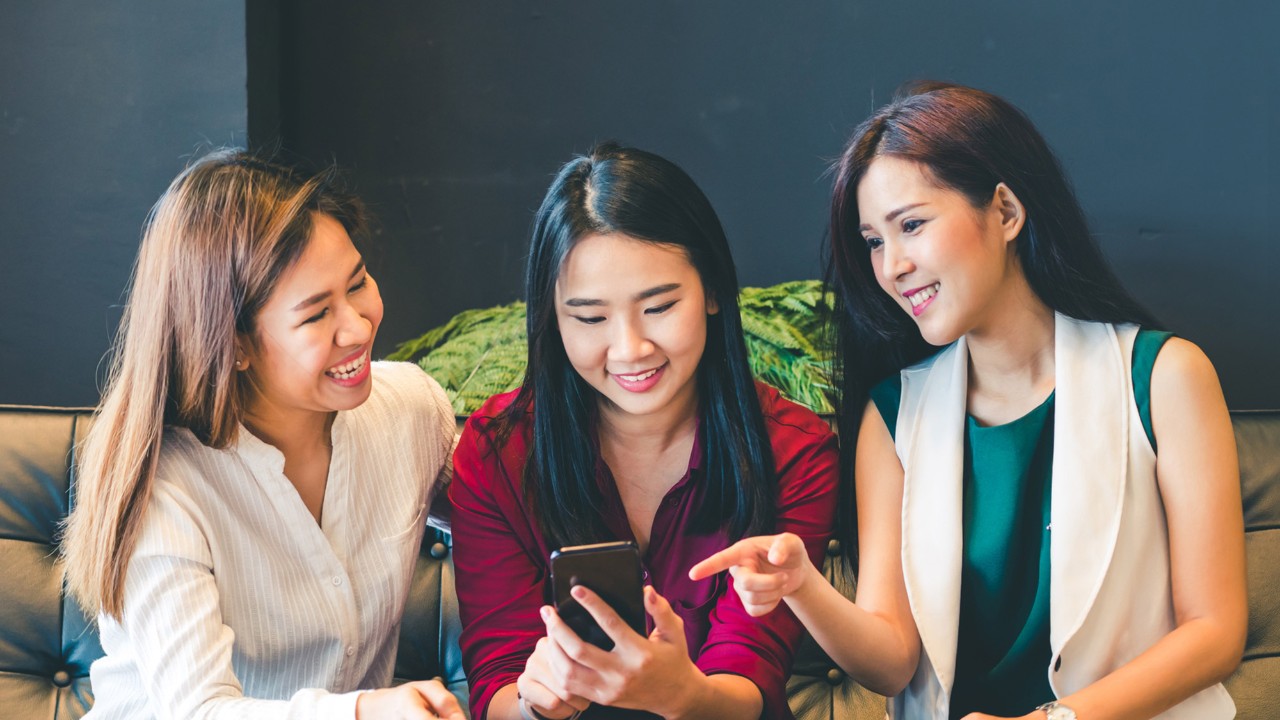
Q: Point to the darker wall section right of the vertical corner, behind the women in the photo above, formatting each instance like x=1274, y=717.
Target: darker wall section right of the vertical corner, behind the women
x=454, y=119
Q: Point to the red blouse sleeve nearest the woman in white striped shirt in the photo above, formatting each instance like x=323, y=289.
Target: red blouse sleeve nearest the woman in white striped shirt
x=500, y=560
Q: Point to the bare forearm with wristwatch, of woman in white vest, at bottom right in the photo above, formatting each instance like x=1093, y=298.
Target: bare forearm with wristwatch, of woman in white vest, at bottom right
x=1195, y=657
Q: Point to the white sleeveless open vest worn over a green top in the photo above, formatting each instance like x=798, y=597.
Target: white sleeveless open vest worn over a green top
x=1110, y=595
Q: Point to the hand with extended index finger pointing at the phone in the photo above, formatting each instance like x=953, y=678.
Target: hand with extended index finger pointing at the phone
x=766, y=569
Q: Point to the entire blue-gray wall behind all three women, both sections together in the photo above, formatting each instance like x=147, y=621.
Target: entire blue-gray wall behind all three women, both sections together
x=454, y=119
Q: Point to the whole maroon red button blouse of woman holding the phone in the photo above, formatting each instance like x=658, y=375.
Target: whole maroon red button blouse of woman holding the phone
x=504, y=573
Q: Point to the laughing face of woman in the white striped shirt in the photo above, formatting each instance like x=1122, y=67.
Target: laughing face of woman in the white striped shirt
x=316, y=332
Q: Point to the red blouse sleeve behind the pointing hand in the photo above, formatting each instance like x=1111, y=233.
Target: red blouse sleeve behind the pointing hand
x=764, y=649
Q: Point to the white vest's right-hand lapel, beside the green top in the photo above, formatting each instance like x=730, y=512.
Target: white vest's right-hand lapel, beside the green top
x=1091, y=452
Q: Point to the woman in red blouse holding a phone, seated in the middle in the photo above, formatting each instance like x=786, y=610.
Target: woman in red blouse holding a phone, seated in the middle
x=638, y=421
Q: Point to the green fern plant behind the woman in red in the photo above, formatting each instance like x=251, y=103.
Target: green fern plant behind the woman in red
x=482, y=353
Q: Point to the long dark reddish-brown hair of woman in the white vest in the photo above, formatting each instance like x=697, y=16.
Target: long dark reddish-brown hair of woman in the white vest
x=971, y=142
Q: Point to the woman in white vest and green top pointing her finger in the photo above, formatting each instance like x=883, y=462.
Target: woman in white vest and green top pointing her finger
x=1025, y=550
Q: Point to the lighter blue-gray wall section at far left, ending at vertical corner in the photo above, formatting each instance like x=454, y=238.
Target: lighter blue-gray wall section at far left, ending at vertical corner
x=102, y=104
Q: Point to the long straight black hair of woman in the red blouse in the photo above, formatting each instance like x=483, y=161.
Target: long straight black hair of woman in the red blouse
x=643, y=197
